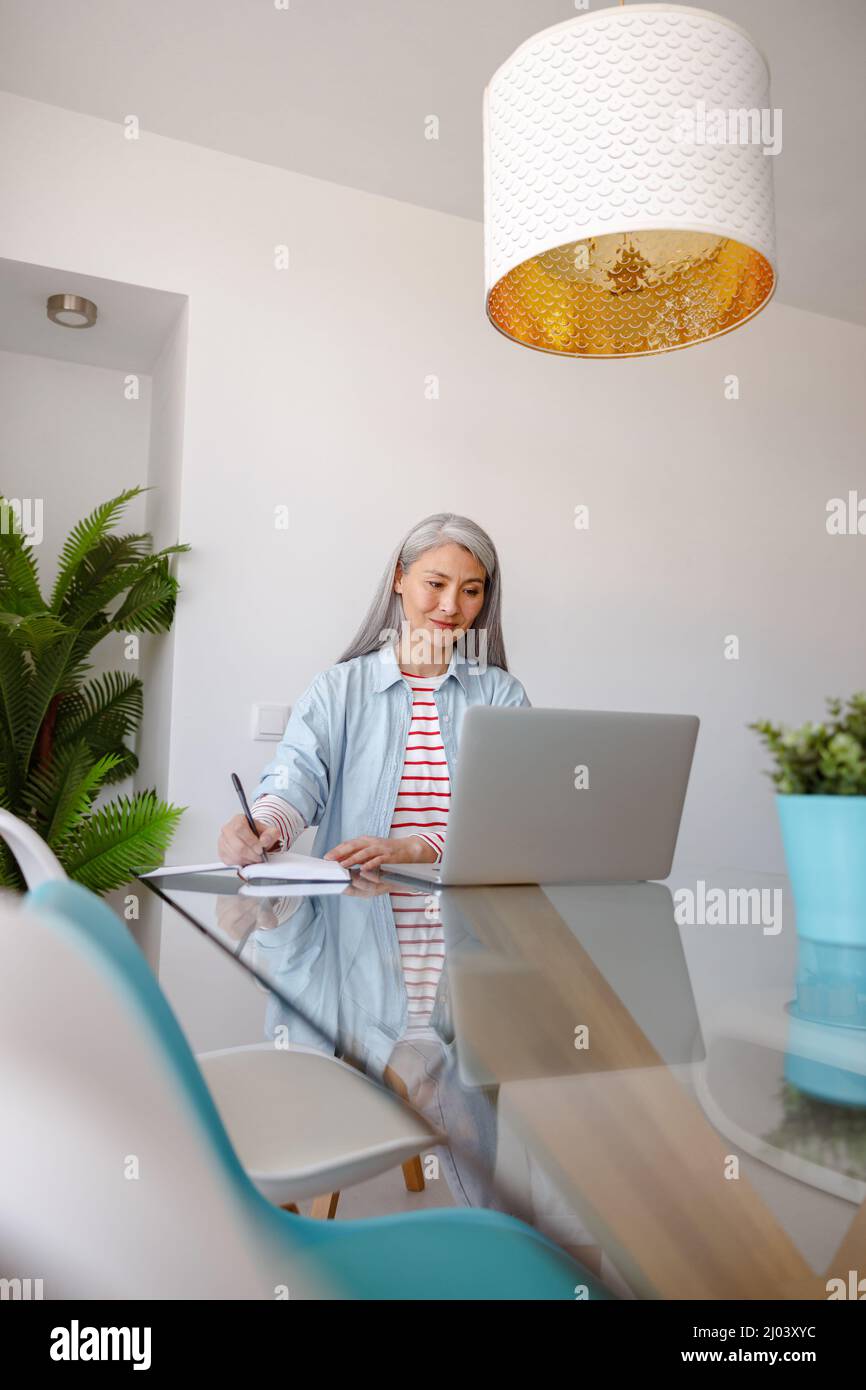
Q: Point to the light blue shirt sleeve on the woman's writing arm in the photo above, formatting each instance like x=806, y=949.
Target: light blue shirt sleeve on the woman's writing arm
x=301, y=769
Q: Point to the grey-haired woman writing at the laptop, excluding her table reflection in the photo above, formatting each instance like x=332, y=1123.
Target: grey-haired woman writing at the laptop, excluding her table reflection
x=370, y=747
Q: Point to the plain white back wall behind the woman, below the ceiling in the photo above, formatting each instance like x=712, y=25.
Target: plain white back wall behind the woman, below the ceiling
x=307, y=387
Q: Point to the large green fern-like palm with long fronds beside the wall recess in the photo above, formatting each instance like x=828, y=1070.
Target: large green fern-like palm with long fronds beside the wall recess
x=63, y=737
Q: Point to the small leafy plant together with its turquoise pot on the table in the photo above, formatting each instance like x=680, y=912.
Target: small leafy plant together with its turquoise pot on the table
x=821, y=782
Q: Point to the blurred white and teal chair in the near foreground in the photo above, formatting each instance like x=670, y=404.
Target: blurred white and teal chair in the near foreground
x=119, y=1179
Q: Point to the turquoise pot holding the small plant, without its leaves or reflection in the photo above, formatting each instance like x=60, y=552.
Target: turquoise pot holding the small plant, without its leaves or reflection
x=825, y=840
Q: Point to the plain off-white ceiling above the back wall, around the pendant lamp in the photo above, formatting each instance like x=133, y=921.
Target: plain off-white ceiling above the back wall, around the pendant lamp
x=340, y=90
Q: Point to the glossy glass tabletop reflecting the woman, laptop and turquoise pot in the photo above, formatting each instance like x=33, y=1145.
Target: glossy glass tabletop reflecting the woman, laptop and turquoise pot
x=662, y=1070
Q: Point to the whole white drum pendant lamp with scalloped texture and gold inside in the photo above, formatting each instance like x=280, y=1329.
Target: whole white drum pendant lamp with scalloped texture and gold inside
x=629, y=184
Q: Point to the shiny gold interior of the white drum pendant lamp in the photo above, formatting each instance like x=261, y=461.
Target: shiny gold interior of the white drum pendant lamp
x=632, y=294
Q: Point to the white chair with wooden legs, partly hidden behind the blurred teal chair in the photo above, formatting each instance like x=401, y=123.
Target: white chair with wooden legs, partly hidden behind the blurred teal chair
x=304, y=1124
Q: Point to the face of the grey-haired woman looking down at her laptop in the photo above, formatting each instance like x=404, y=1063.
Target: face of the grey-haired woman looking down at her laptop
x=443, y=593
